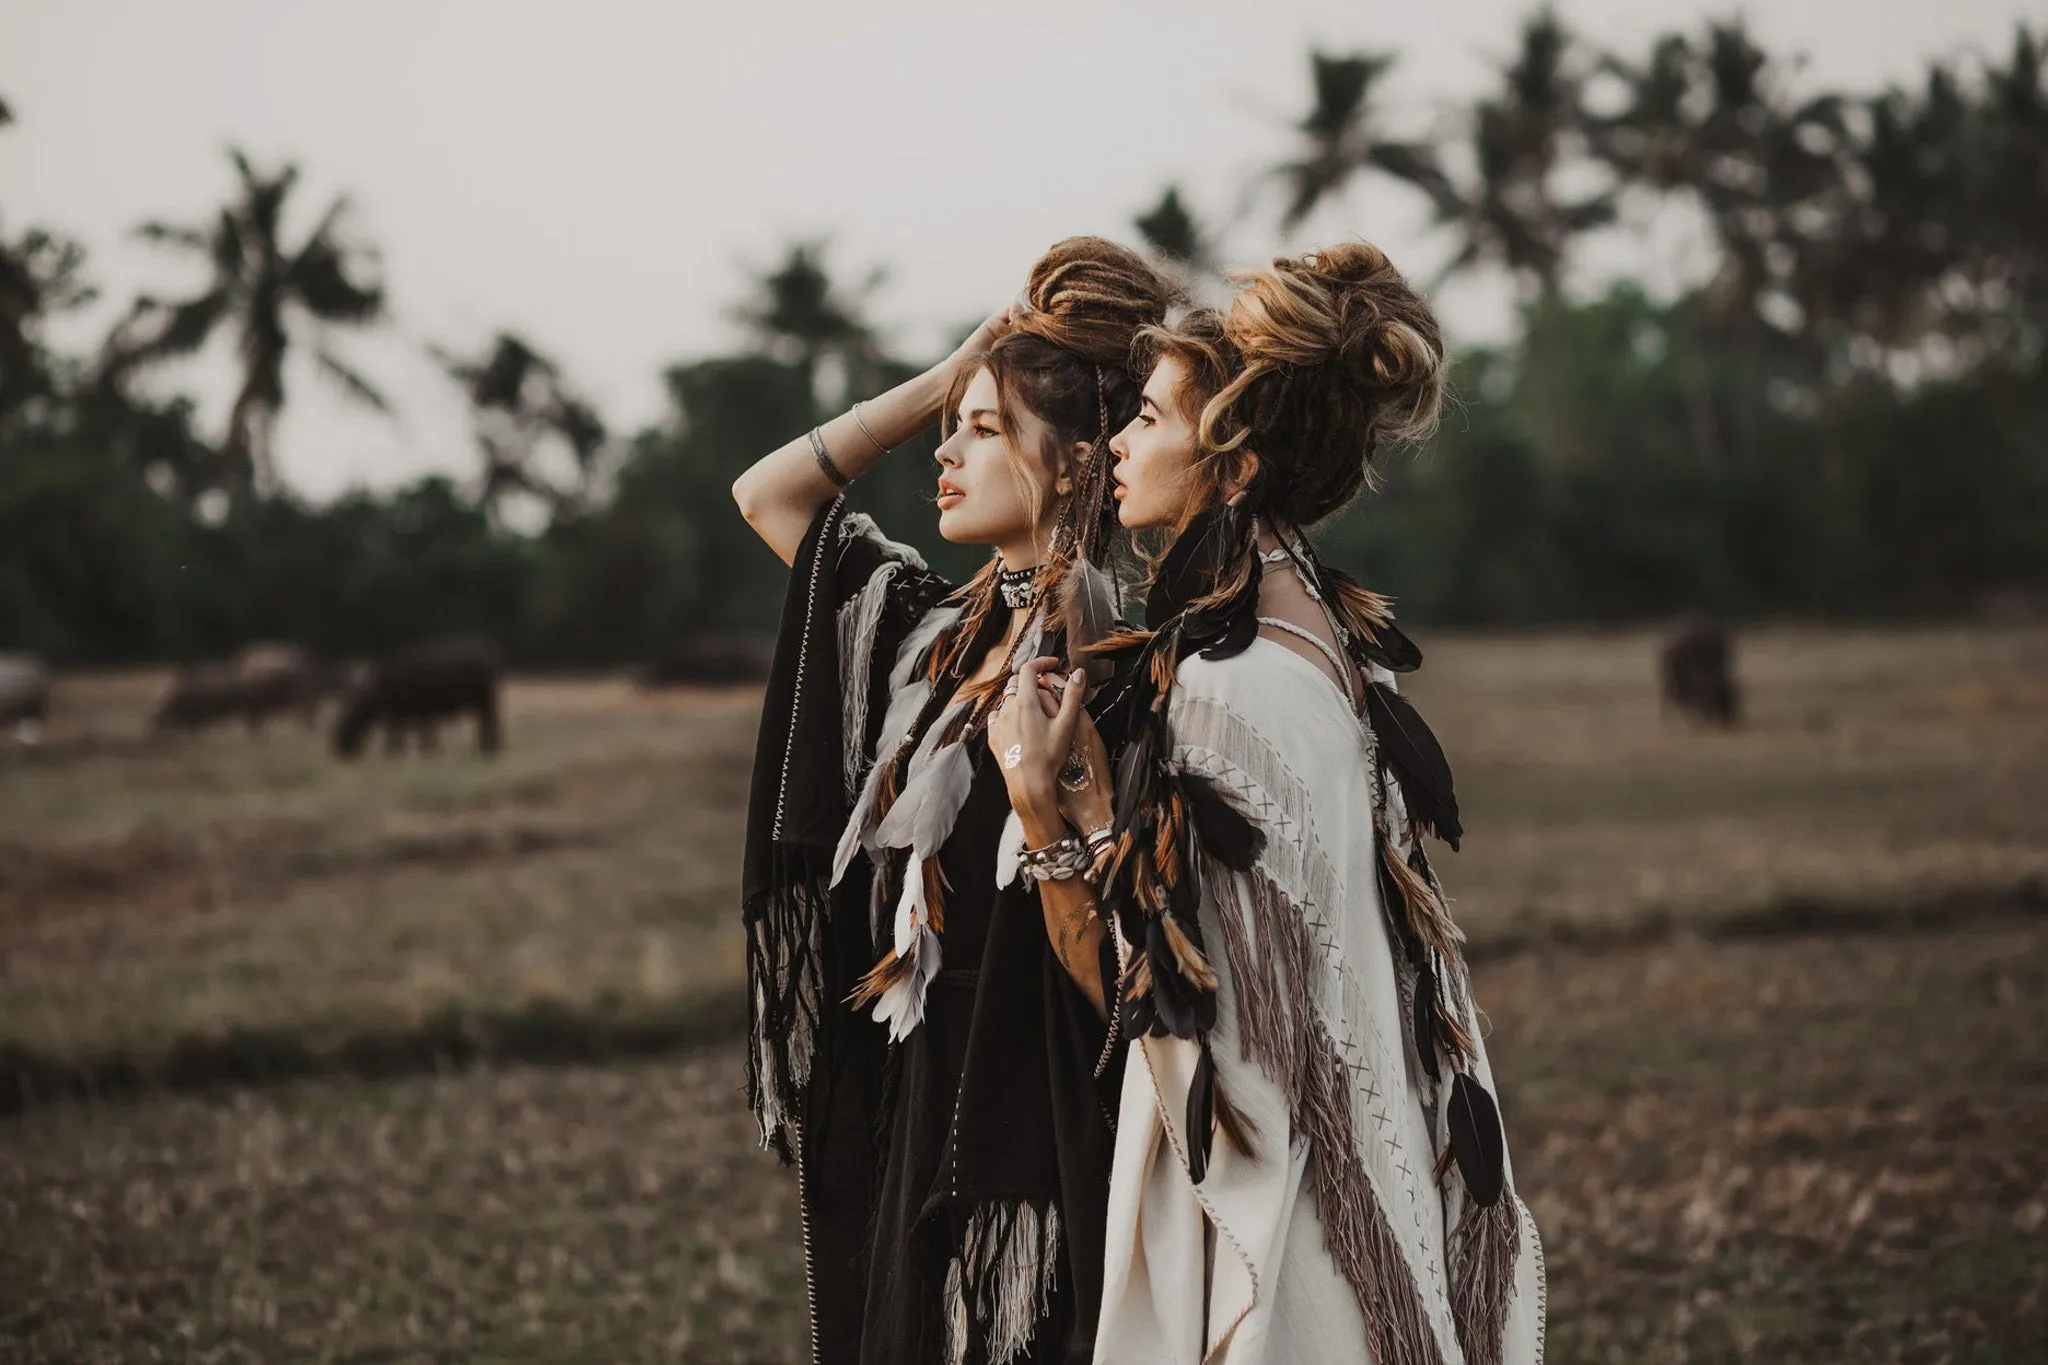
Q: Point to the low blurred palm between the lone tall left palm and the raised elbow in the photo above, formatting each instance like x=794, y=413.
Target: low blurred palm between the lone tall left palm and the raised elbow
x=540, y=441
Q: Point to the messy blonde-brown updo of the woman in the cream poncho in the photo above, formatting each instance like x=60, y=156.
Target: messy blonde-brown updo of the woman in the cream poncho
x=1338, y=355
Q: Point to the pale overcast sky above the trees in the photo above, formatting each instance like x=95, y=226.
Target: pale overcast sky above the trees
x=601, y=175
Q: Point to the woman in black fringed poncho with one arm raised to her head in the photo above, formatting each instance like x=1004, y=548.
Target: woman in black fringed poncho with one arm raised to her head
x=931, y=987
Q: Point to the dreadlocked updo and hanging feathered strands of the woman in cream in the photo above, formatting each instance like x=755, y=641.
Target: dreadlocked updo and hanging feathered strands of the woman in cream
x=1320, y=365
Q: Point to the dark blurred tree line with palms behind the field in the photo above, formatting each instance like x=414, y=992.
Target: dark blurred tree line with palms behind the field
x=1840, y=412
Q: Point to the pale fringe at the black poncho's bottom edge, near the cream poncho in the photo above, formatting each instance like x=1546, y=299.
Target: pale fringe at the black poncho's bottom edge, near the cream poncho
x=1002, y=1280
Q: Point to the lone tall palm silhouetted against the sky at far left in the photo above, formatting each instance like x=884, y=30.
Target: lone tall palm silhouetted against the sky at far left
x=263, y=292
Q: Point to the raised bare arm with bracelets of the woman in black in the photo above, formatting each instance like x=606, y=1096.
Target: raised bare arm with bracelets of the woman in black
x=783, y=490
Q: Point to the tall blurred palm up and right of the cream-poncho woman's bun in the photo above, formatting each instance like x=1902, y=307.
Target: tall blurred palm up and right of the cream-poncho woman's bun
x=1523, y=138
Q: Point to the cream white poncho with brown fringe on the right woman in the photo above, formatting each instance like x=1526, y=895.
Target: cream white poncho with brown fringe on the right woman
x=1336, y=1241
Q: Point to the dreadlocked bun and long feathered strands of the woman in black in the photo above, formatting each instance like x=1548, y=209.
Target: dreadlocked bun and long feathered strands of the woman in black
x=1070, y=363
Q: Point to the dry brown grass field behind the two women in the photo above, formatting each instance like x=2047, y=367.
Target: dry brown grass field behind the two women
x=431, y=1059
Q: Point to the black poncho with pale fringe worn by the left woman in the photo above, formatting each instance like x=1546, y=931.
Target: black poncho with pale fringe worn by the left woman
x=953, y=1186
